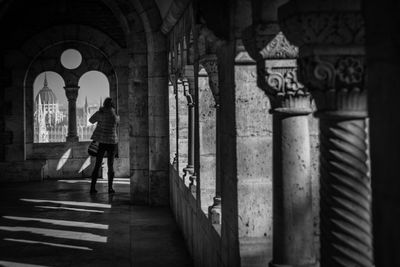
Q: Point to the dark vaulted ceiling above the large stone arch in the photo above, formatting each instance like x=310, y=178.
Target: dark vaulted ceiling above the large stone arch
x=24, y=19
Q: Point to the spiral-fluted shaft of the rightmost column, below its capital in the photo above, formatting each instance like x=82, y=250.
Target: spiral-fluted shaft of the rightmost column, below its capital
x=345, y=193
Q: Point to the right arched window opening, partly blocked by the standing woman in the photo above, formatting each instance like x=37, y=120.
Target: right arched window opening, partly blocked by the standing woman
x=94, y=88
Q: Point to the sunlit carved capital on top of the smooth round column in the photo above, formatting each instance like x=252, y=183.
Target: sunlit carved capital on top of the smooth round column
x=277, y=69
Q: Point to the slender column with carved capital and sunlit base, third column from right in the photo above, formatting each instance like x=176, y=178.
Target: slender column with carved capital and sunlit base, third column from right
x=210, y=63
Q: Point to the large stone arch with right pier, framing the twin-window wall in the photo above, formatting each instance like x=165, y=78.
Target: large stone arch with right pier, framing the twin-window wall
x=141, y=74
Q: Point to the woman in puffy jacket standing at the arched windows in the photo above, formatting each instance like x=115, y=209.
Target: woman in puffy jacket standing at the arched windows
x=106, y=134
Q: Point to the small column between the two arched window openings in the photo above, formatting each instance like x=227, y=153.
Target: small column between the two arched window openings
x=71, y=92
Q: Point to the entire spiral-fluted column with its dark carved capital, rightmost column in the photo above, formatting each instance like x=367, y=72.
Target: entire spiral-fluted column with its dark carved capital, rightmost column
x=332, y=66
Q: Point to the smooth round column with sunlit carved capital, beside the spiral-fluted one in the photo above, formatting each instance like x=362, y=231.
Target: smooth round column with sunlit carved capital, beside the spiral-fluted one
x=293, y=233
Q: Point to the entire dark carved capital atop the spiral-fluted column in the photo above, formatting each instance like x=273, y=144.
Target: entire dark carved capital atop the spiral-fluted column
x=332, y=60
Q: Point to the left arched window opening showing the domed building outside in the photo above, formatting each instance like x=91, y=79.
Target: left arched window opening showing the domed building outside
x=50, y=108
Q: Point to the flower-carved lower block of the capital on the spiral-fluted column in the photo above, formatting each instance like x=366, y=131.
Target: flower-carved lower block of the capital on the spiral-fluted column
x=337, y=83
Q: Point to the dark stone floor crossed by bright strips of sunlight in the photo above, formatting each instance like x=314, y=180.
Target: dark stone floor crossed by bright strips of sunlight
x=57, y=223
